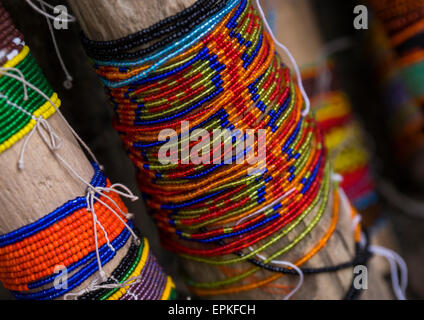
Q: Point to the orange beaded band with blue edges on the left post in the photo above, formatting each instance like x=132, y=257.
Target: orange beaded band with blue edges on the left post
x=64, y=237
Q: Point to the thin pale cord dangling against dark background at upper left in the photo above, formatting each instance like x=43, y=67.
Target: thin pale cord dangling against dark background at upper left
x=68, y=82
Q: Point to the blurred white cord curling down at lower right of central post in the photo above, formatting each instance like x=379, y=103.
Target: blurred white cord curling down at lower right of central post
x=396, y=262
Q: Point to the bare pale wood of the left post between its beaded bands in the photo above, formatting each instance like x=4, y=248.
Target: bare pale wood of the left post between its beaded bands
x=44, y=184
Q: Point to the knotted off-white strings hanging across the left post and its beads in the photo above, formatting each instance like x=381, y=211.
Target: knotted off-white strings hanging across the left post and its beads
x=54, y=143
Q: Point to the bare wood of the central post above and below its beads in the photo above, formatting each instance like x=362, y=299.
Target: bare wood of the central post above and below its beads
x=107, y=20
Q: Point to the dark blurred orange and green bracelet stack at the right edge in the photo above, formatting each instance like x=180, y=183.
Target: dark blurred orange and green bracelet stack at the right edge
x=399, y=47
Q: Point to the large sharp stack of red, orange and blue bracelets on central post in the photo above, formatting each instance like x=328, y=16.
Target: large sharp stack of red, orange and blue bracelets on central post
x=218, y=70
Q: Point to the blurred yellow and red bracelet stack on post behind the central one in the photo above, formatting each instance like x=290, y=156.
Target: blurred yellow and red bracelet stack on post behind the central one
x=343, y=138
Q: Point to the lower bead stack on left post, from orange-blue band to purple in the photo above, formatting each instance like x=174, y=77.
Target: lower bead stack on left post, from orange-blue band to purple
x=29, y=255
